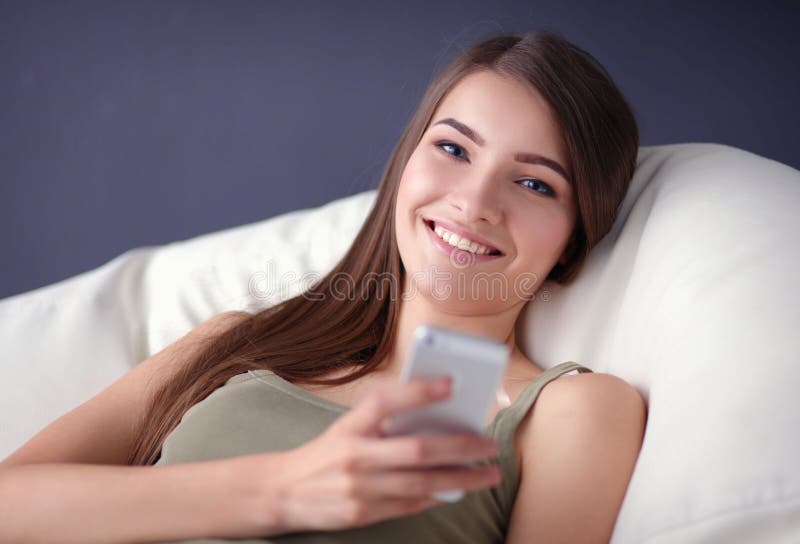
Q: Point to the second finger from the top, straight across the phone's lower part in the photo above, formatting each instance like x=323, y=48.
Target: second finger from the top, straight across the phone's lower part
x=421, y=450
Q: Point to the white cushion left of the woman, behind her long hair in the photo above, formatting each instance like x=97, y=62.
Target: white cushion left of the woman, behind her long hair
x=65, y=342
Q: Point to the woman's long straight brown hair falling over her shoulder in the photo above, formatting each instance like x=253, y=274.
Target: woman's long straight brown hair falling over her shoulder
x=305, y=337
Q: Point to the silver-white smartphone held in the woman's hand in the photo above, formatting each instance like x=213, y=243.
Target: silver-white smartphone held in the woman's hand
x=476, y=366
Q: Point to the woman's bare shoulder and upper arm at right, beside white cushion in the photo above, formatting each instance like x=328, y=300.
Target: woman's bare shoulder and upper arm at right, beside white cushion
x=580, y=445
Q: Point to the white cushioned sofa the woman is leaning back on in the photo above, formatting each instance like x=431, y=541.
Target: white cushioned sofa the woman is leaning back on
x=692, y=298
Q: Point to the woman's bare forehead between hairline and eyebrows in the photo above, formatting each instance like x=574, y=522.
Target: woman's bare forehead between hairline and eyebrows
x=510, y=115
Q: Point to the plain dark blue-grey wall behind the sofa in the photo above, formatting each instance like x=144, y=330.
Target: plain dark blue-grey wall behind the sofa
x=126, y=124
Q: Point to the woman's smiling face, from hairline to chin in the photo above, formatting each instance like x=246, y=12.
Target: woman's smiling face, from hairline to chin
x=469, y=175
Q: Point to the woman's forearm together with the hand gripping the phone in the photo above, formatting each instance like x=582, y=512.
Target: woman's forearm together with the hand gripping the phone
x=349, y=476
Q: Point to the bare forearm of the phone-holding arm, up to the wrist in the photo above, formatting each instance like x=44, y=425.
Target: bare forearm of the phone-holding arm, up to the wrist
x=82, y=503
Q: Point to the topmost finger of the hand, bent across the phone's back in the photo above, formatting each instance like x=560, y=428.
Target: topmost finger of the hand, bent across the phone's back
x=365, y=419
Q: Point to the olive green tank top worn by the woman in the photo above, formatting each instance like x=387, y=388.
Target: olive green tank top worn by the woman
x=260, y=412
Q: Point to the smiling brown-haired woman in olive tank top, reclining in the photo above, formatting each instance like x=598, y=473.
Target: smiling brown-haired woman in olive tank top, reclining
x=263, y=425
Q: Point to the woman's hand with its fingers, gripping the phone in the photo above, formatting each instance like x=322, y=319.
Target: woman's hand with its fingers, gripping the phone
x=351, y=475
